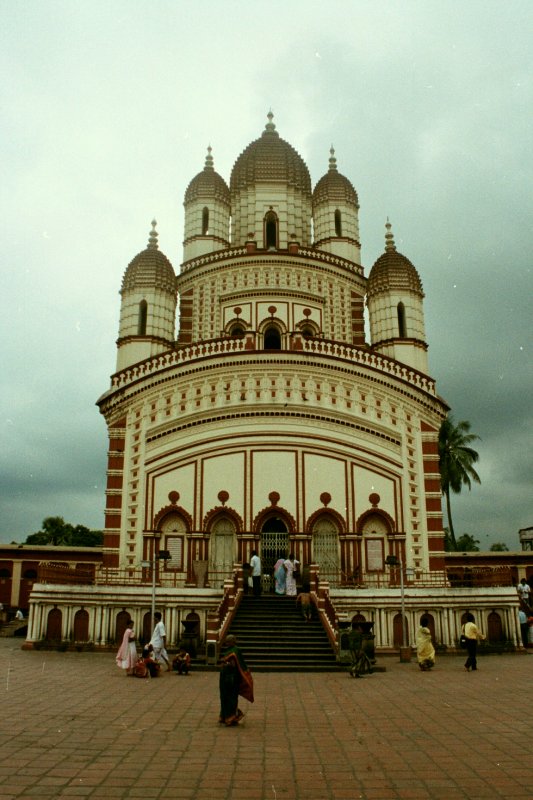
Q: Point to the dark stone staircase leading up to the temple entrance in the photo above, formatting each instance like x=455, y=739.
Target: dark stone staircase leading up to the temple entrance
x=275, y=638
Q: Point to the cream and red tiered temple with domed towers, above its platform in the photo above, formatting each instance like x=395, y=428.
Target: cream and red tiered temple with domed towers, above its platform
x=249, y=410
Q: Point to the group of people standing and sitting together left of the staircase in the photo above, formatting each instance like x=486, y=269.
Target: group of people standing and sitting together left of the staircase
x=154, y=654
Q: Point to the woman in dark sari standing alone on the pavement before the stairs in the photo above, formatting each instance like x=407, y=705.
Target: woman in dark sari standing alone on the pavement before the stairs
x=235, y=680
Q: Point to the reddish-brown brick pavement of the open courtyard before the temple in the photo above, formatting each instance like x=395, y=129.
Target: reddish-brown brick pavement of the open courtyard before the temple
x=73, y=725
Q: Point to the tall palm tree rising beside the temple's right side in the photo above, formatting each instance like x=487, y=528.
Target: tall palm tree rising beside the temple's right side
x=456, y=460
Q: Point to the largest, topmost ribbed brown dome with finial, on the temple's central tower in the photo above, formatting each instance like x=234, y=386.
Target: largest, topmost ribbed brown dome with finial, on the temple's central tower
x=270, y=159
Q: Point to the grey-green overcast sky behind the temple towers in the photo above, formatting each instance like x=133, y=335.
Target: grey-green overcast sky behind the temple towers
x=108, y=108
